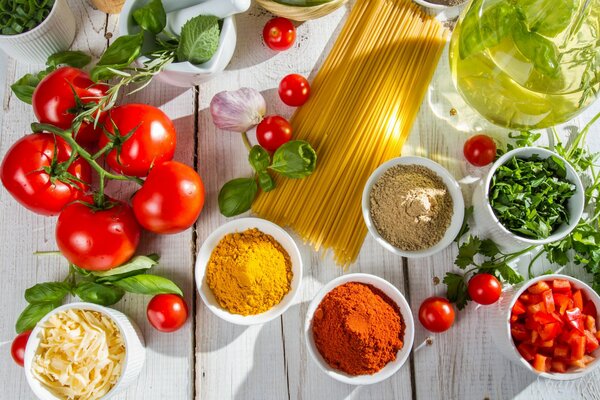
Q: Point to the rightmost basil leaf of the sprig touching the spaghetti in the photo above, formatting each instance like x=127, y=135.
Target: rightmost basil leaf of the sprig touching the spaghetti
x=295, y=159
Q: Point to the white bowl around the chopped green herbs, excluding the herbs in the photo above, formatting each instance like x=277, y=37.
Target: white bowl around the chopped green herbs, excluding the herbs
x=488, y=224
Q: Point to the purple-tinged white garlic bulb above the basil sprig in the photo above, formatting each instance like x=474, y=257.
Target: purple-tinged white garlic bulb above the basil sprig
x=238, y=110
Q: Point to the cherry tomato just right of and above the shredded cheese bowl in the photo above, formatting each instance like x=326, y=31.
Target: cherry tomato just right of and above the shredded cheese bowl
x=167, y=312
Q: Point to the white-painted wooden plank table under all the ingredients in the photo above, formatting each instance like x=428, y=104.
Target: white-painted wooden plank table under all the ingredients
x=211, y=359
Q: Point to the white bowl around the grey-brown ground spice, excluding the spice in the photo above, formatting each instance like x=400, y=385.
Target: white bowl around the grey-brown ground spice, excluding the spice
x=453, y=189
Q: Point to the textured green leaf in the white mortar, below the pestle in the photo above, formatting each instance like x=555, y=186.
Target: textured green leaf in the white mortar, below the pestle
x=199, y=39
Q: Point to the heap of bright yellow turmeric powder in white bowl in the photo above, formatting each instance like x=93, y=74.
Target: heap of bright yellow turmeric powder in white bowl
x=249, y=272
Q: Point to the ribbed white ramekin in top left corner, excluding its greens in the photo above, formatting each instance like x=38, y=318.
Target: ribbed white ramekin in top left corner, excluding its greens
x=54, y=34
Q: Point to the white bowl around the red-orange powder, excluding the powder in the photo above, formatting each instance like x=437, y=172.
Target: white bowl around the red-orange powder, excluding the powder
x=409, y=332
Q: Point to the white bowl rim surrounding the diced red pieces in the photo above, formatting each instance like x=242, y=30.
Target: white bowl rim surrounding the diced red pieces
x=591, y=294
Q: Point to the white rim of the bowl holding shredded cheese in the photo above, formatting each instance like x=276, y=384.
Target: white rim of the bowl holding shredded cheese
x=35, y=340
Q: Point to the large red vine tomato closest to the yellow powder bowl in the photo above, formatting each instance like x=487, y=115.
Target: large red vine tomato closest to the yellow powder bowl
x=170, y=200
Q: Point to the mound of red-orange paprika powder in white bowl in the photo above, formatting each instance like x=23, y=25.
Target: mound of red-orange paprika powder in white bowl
x=358, y=329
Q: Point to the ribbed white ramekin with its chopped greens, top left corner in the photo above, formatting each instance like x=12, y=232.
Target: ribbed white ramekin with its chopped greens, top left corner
x=33, y=30
